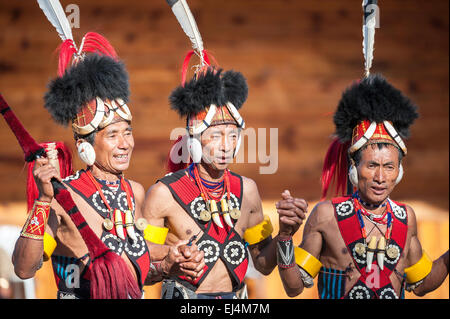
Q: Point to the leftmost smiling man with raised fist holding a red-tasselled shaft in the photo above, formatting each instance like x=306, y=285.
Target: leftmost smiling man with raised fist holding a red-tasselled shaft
x=90, y=94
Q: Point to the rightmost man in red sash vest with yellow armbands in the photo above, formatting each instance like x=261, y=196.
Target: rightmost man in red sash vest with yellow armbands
x=366, y=245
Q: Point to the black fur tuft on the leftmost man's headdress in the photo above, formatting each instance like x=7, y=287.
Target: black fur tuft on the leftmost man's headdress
x=95, y=76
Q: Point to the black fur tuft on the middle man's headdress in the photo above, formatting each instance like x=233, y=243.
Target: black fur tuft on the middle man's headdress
x=210, y=87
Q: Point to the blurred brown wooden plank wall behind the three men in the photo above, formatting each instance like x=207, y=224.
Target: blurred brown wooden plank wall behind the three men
x=298, y=57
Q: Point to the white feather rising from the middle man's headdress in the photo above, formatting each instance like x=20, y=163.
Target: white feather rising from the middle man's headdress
x=184, y=16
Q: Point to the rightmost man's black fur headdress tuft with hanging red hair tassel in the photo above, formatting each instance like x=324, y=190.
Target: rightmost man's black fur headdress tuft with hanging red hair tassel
x=372, y=99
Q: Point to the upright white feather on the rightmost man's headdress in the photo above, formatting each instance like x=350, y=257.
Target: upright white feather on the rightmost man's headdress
x=369, y=24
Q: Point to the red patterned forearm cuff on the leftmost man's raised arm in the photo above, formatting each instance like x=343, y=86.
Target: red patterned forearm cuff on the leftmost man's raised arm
x=34, y=227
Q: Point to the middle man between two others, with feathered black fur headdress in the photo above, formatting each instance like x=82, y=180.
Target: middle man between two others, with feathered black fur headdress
x=205, y=202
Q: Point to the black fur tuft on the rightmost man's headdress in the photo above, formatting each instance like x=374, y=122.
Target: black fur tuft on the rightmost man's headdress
x=373, y=99
